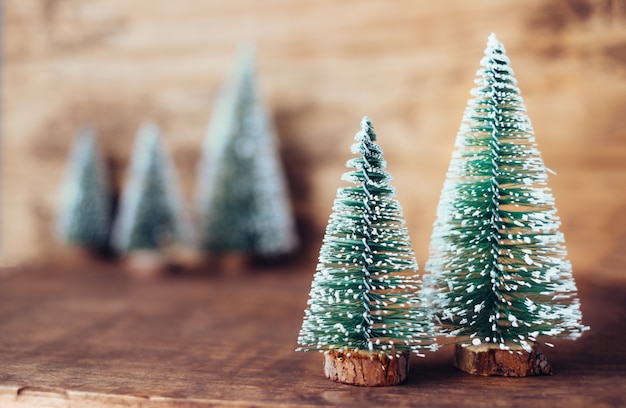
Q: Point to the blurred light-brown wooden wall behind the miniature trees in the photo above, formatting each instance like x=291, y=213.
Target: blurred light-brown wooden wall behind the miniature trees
x=322, y=65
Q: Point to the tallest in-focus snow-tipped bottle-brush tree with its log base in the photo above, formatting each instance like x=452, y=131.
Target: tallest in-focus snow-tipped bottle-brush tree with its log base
x=499, y=277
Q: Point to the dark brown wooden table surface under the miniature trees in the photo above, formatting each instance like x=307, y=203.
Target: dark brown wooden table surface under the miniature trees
x=89, y=336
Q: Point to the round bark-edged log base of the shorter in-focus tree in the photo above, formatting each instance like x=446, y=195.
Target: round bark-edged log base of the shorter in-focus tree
x=366, y=369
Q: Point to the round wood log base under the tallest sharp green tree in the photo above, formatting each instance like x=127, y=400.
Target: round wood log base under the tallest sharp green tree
x=488, y=359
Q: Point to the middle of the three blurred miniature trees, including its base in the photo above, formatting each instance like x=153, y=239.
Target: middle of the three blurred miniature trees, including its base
x=150, y=218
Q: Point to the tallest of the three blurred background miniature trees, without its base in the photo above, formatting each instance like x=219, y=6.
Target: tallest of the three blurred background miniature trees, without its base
x=243, y=201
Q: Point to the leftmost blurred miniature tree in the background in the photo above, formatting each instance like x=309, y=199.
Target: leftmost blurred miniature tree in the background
x=85, y=209
